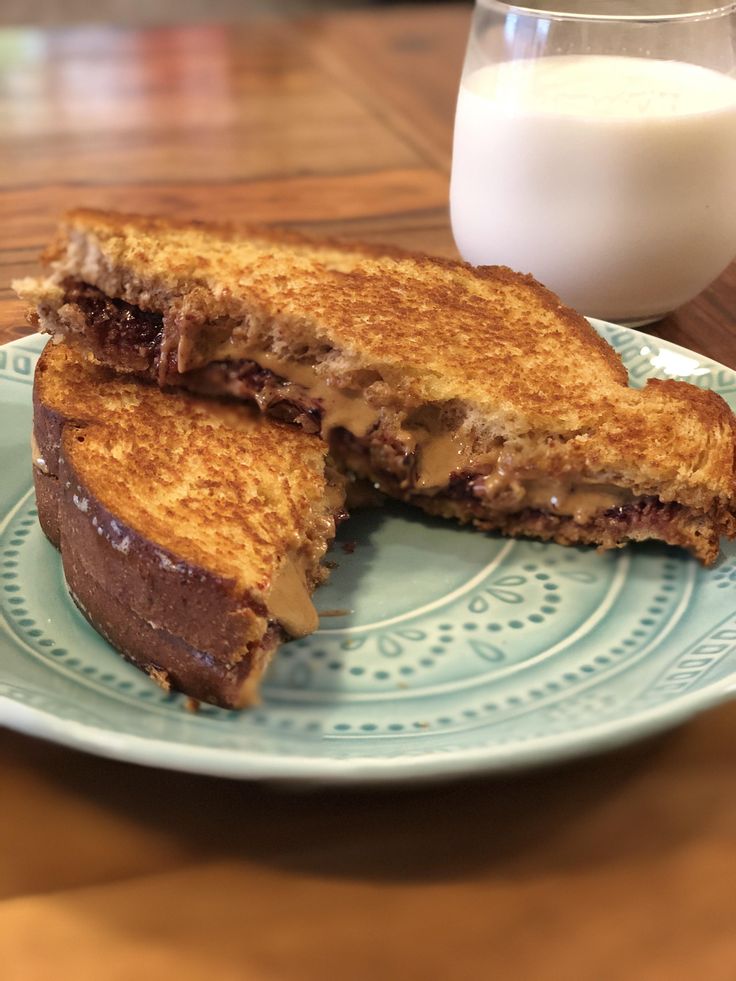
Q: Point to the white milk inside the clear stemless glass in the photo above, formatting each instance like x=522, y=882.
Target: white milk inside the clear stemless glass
x=611, y=179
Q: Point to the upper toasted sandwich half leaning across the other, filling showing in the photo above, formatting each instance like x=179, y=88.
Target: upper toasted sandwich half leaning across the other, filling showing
x=472, y=393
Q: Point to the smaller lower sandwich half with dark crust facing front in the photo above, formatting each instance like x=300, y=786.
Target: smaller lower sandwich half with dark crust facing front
x=191, y=531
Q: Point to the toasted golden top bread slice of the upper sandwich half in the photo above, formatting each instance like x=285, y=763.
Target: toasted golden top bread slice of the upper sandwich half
x=491, y=350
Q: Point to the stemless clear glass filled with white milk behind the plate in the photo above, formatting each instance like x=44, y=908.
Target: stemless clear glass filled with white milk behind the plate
x=595, y=147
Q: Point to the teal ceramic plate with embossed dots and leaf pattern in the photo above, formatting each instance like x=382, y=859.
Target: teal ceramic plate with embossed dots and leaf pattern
x=460, y=652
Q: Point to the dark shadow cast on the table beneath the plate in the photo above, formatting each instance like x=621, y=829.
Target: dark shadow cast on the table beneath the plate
x=582, y=815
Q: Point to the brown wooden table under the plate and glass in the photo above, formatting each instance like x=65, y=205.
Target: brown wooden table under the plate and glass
x=618, y=867
